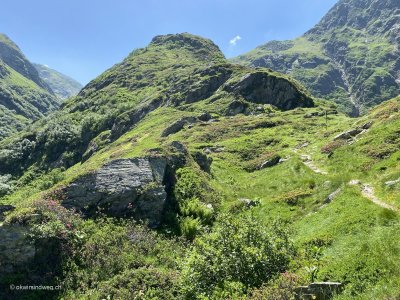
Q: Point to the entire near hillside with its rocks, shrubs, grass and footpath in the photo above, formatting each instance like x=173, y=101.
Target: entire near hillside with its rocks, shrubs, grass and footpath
x=218, y=160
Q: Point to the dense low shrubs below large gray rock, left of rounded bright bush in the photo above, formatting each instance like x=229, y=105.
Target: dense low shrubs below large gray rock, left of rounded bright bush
x=121, y=260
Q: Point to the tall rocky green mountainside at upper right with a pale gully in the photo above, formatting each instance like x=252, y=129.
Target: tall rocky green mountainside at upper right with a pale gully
x=351, y=56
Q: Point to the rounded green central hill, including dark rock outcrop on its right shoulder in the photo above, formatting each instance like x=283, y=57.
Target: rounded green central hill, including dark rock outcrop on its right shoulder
x=181, y=71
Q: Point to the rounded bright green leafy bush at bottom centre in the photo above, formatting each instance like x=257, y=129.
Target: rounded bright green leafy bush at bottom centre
x=238, y=250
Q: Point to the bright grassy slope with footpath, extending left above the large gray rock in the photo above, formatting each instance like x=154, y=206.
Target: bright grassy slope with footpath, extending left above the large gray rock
x=355, y=238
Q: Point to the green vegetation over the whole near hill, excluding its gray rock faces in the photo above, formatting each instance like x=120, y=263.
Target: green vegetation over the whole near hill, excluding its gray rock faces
x=352, y=239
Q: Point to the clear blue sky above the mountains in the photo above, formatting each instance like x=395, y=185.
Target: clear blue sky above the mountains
x=82, y=38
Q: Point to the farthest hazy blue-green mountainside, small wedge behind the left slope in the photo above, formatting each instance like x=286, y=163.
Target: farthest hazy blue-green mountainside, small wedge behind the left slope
x=62, y=85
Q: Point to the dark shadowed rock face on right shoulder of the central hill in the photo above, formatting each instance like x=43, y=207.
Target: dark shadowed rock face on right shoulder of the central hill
x=261, y=88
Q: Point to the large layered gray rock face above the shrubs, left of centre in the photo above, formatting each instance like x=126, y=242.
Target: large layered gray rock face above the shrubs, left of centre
x=124, y=187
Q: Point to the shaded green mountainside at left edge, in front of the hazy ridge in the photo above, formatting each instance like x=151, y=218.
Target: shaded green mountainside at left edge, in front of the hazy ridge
x=24, y=96
